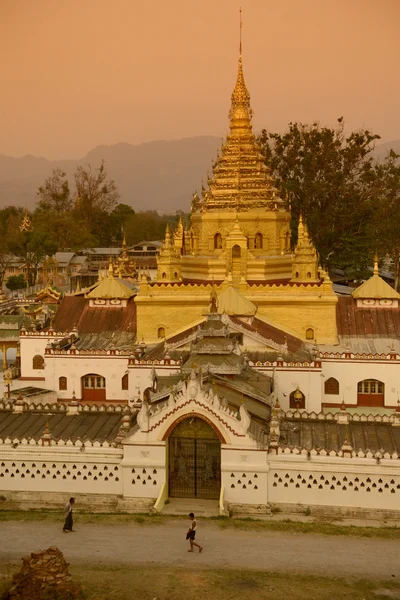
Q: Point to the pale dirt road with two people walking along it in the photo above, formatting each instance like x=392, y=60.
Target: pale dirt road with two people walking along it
x=165, y=544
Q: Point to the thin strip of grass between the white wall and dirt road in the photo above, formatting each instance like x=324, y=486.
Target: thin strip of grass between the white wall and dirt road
x=320, y=526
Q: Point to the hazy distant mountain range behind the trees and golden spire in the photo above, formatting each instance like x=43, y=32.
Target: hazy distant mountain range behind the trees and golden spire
x=160, y=175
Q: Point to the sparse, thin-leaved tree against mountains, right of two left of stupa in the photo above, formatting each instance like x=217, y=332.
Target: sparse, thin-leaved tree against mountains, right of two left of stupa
x=94, y=193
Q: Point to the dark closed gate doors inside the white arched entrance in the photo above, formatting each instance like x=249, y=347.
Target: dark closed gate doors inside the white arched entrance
x=194, y=451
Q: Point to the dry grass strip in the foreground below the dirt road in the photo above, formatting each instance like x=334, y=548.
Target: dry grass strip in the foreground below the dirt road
x=123, y=582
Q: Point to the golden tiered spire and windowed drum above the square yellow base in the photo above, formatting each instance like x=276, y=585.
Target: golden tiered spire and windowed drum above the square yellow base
x=239, y=224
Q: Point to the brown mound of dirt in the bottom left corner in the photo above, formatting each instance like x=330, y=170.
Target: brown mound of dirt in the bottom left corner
x=43, y=576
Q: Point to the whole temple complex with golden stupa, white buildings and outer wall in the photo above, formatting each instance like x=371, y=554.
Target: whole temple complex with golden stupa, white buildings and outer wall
x=235, y=374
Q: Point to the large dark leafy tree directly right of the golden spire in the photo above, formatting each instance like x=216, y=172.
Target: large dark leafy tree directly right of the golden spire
x=329, y=178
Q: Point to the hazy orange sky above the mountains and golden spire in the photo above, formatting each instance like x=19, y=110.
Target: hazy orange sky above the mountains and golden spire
x=79, y=73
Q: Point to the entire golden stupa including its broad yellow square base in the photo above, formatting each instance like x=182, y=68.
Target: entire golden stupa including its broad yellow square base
x=239, y=237
